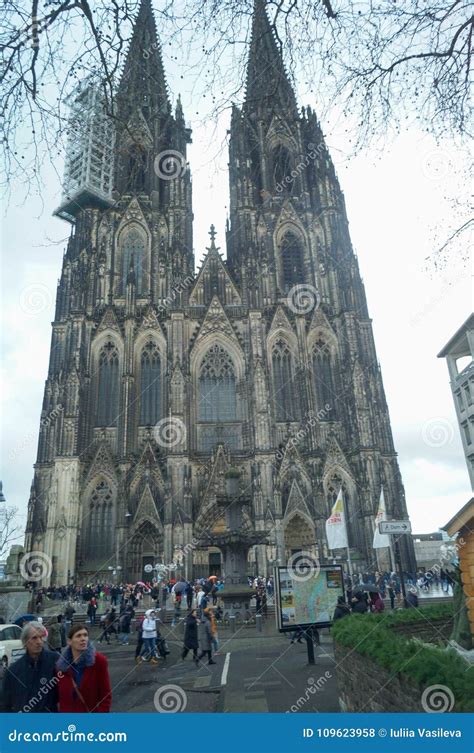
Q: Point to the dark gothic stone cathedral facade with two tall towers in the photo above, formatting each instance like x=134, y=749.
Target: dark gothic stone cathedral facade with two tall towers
x=257, y=375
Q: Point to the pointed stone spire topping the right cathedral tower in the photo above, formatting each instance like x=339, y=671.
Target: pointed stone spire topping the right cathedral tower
x=268, y=84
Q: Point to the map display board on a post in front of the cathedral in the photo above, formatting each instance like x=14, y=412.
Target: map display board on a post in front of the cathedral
x=307, y=598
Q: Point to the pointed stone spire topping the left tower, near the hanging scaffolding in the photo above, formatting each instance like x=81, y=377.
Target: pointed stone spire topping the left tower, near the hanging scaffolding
x=143, y=81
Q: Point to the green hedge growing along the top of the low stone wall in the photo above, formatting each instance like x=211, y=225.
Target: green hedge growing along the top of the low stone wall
x=370, y=635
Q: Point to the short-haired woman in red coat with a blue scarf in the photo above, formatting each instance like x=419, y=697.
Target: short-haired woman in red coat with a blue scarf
x=84, y=683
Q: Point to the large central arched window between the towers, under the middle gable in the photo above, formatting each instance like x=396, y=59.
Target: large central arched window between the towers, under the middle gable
x=217, y=387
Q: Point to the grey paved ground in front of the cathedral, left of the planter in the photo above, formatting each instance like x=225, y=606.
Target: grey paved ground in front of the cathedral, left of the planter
x=253, y=672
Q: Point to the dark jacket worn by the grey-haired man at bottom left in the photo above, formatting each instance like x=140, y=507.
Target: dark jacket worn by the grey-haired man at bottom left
x=28, y=686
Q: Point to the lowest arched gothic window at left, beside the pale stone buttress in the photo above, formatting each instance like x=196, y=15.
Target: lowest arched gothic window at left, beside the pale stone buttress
x=100, y=524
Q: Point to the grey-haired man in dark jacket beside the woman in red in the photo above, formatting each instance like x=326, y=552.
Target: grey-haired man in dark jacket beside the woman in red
x=30, y=684
